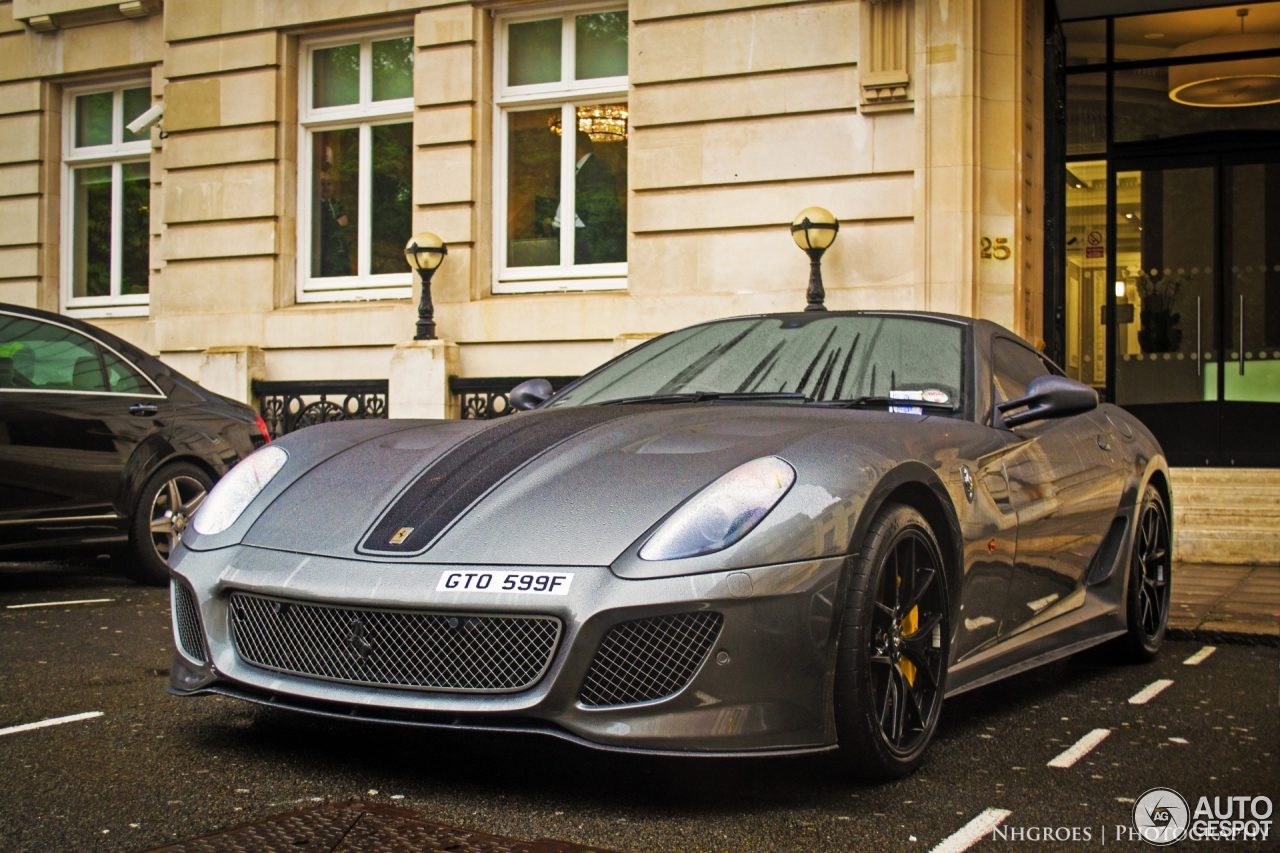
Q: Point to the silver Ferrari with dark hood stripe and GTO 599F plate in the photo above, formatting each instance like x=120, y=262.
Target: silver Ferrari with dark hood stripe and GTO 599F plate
x=769, y=535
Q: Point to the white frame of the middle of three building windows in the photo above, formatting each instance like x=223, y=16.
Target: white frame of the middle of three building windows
x=365, y=116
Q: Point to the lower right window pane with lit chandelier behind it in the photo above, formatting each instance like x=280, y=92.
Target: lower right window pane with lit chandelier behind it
x=601, y=185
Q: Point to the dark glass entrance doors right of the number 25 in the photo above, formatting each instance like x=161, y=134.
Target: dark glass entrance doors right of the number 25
x=1197, y=305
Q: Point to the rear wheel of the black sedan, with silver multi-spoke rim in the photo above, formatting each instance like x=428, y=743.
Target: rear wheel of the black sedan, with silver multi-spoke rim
x=157, y=528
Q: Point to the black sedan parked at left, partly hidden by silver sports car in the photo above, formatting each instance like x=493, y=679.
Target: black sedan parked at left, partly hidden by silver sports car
x=103, y=446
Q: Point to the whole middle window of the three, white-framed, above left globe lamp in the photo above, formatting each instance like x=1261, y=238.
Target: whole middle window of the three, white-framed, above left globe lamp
x=356, y=167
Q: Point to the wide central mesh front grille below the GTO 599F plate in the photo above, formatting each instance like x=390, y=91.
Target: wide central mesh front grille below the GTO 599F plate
x=460, y=653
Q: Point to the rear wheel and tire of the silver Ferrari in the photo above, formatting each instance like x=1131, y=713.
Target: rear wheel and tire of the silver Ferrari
x=1149, y=589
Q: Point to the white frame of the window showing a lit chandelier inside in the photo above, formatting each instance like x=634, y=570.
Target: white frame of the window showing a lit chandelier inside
x=569, y=97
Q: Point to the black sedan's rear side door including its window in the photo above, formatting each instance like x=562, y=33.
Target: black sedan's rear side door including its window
x=71, y=414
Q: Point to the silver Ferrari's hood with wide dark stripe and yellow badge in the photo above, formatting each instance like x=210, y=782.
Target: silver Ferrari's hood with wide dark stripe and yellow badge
x=560, y=487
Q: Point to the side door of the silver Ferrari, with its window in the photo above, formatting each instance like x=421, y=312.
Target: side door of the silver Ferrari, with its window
x=1062, y=489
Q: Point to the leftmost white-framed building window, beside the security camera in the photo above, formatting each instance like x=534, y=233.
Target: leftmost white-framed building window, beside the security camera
x=107, y=231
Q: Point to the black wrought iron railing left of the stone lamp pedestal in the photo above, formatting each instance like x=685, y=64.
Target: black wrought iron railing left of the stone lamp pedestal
x=289, y=407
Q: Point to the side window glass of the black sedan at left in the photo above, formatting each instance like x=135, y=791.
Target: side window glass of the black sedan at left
x=44, y=357
